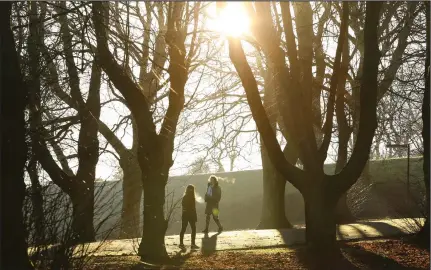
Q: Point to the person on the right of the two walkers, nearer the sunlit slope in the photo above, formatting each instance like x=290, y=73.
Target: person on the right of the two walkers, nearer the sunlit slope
x=212, y=198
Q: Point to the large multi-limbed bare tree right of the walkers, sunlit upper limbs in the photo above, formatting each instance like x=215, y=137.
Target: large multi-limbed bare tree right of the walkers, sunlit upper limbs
x=321, y=192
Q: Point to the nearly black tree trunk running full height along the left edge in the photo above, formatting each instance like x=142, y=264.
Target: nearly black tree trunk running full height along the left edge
x=14, y=150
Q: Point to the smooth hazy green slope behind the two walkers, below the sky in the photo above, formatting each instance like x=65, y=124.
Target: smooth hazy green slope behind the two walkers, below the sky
x=242, y=194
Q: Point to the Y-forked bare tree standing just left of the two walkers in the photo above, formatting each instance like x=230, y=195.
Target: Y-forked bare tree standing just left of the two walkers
x=154, y=149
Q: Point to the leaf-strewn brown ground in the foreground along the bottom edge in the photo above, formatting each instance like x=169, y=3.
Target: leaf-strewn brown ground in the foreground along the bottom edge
x=370, y=254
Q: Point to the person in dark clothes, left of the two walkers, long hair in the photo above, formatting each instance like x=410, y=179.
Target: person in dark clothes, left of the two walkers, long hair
x=189, y=215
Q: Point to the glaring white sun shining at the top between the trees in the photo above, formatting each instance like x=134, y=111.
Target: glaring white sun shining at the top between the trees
x=232, y=20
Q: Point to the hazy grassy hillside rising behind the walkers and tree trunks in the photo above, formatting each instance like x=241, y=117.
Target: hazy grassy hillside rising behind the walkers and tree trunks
x=240, y=207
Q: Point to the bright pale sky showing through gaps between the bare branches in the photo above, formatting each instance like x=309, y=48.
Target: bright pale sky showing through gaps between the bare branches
x=190, y=146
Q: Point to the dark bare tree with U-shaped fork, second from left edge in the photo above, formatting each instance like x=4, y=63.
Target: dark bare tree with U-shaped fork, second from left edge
x=79, y=186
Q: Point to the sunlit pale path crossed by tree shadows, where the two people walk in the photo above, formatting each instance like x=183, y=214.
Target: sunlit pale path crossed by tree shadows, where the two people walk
x=247, y=239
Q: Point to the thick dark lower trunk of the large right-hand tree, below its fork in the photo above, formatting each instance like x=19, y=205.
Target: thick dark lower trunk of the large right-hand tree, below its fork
x=320, y=204
